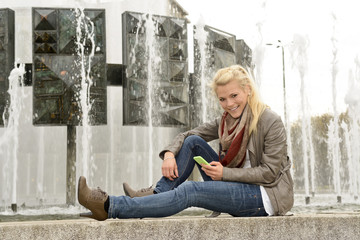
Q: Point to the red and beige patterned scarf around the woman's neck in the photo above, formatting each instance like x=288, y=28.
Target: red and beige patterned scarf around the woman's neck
x=234, y=137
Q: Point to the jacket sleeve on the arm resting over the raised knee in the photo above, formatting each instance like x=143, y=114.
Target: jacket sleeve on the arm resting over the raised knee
x=207, y=131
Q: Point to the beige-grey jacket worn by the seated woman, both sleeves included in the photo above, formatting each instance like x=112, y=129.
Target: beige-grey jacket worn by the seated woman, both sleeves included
x=270, y=166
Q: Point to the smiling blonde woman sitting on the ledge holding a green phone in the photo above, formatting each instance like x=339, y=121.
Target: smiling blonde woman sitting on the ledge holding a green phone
x=250, y=176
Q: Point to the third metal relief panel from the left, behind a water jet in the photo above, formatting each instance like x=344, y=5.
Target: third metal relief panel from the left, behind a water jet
x=156, y=70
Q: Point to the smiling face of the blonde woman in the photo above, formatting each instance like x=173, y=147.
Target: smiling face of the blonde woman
x=232, y=98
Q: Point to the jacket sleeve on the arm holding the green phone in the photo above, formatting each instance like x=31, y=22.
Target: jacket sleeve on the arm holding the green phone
x=269, y=163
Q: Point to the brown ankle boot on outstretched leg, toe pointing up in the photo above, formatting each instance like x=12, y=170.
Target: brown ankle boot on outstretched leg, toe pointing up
x=92, y=199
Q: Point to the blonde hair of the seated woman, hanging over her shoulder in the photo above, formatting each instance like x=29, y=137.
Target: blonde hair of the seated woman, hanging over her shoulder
x=239, y=74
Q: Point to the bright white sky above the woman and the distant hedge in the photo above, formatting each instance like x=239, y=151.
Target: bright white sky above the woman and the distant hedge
x=318, y=37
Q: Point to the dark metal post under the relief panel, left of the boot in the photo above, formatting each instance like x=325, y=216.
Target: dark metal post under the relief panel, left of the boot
x=71, y=165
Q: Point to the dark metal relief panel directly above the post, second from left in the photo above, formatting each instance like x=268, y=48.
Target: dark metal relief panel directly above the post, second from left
x=56, y=68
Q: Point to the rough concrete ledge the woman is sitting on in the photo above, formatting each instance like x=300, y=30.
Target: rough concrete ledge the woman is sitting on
x=299, y=226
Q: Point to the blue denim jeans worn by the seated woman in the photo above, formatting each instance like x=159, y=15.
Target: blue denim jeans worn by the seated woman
x=235, y=198
